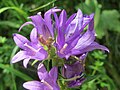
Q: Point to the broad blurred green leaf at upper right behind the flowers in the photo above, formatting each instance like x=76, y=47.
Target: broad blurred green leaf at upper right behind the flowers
x=109, y=20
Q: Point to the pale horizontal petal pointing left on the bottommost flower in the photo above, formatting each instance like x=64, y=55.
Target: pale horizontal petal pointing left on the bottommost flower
x=33, y=85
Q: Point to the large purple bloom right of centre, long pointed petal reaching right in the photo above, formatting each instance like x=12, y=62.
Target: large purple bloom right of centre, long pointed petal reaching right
x=71, y=37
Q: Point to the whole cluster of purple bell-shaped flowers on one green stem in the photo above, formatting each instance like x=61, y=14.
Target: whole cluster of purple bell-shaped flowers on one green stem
x=71, y=38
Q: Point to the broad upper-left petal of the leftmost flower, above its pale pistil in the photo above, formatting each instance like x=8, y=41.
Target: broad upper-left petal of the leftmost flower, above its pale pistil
x=20, y=40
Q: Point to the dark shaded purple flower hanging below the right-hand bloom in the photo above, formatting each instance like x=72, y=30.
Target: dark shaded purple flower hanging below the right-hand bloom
x=73, y=72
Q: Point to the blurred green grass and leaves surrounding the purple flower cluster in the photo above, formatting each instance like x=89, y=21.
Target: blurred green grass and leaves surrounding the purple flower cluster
x=102, y=69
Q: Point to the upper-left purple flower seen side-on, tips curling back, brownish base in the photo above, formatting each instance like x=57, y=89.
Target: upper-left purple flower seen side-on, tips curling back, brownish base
x=44, y=26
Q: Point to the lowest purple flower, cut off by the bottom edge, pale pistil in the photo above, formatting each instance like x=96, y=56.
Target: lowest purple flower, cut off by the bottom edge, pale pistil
x=47, y=80
